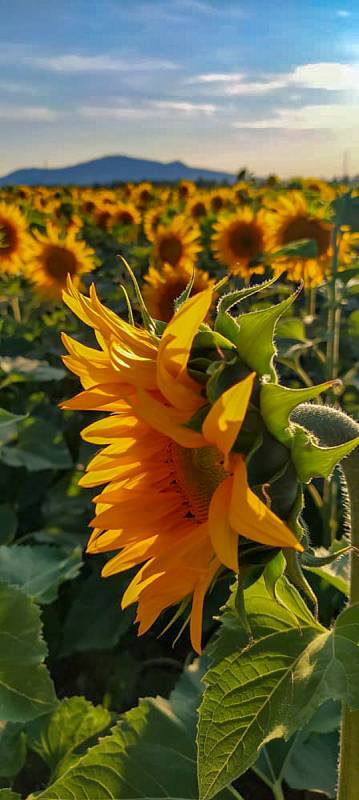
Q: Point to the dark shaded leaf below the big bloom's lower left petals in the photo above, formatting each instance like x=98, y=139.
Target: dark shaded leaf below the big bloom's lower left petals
x=95, y=620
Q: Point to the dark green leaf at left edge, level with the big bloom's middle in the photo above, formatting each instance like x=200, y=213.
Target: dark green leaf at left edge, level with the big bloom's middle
x=40, y=446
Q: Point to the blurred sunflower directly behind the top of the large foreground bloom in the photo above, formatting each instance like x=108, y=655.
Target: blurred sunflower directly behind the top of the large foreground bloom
x=163, y=287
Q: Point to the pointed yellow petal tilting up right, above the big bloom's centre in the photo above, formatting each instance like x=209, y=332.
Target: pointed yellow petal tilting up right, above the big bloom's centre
x=224, y=420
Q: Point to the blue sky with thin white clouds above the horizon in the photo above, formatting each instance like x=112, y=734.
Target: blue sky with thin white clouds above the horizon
x=272, y=84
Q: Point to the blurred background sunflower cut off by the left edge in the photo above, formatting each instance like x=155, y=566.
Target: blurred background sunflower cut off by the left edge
x=14, y=239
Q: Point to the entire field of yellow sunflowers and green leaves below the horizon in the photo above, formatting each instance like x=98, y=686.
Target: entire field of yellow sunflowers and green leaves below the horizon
x=179, y=474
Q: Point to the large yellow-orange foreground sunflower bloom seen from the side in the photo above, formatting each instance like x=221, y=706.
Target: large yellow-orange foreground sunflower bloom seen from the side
x=174, y=500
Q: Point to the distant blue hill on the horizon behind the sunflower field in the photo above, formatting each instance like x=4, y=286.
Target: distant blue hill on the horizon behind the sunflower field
x=110, y=169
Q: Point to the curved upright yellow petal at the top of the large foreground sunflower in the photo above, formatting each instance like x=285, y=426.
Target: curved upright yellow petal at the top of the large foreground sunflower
x=174, y=349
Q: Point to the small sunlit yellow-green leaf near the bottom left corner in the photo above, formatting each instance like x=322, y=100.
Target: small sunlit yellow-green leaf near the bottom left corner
x=56, y=736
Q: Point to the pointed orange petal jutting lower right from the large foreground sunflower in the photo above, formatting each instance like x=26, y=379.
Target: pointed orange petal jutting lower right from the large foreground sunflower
x=251, y=518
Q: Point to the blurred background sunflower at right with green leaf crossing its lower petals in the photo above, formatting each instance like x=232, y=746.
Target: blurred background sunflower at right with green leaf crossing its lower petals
x=292, y=219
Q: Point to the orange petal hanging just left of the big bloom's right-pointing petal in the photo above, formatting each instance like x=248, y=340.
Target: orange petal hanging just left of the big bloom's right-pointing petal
x=224, y=539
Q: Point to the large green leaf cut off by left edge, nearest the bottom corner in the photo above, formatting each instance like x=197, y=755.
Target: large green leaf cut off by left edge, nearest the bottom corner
x=26, y=689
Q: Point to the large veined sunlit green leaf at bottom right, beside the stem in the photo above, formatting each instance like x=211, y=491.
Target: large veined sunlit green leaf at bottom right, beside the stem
x=269, y=689
